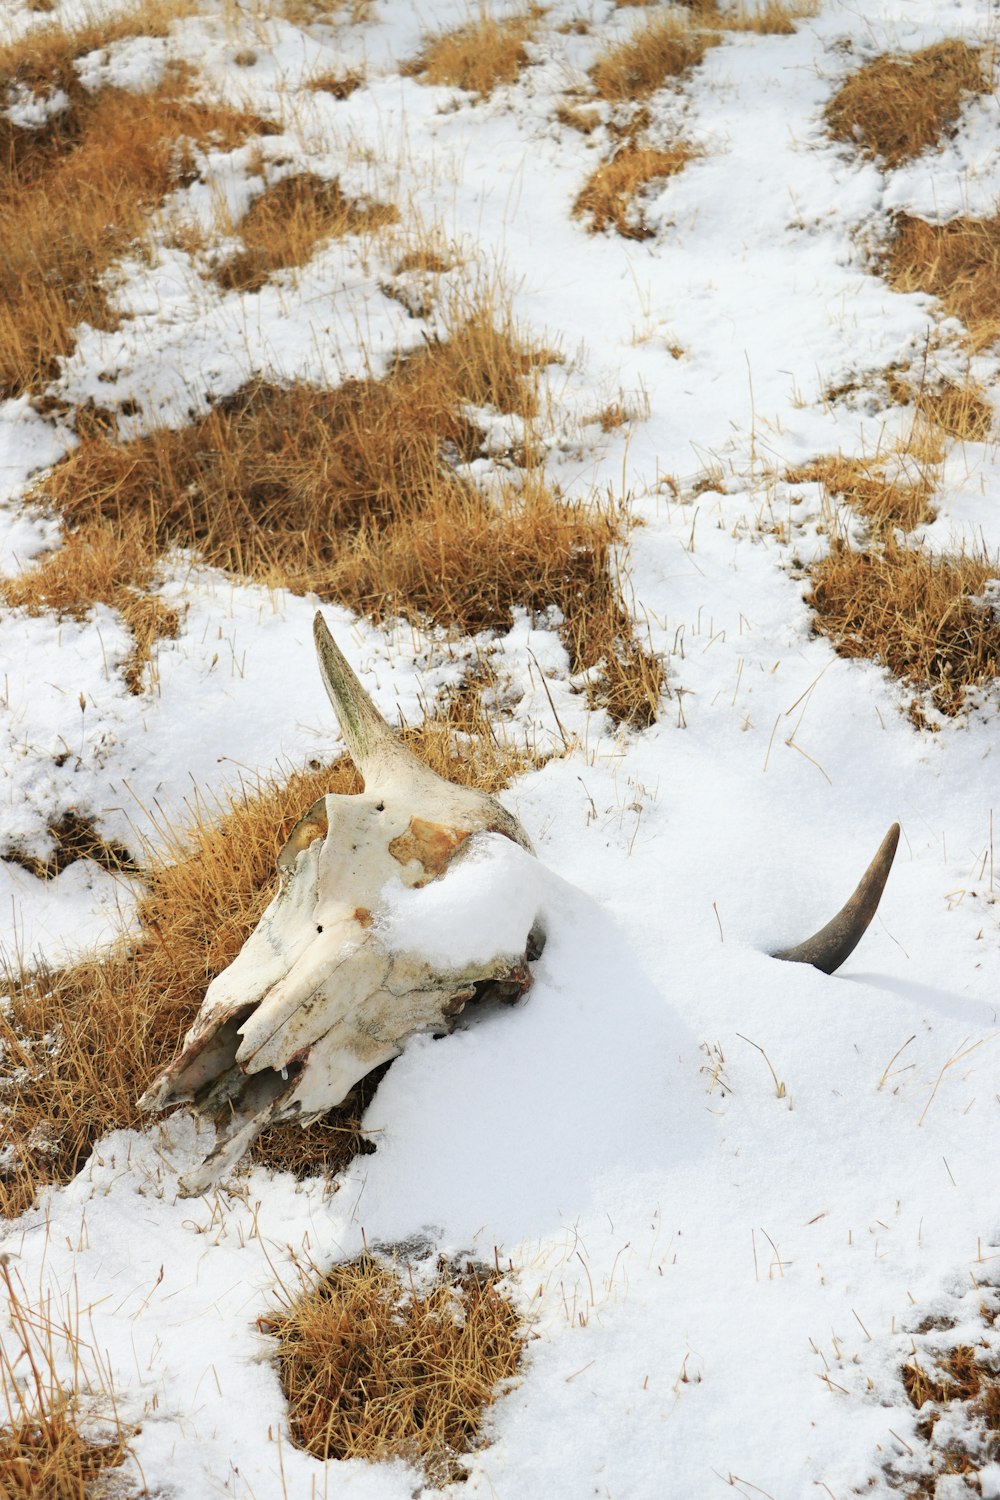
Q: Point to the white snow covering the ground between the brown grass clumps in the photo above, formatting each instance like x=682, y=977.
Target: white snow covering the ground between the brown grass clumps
x=723, y=1277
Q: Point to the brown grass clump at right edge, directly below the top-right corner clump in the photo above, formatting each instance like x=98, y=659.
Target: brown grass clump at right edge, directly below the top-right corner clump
x=957, y=262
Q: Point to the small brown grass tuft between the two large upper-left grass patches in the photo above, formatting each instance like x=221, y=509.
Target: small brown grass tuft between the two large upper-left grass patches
x=287, y=223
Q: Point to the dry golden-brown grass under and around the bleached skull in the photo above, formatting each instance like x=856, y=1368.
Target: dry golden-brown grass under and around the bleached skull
x=80, y=1045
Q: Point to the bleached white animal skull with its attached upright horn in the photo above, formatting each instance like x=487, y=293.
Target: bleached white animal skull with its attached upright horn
x=325, y=988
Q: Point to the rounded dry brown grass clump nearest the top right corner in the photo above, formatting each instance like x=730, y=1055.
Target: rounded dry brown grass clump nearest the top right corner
x=897, y=107
